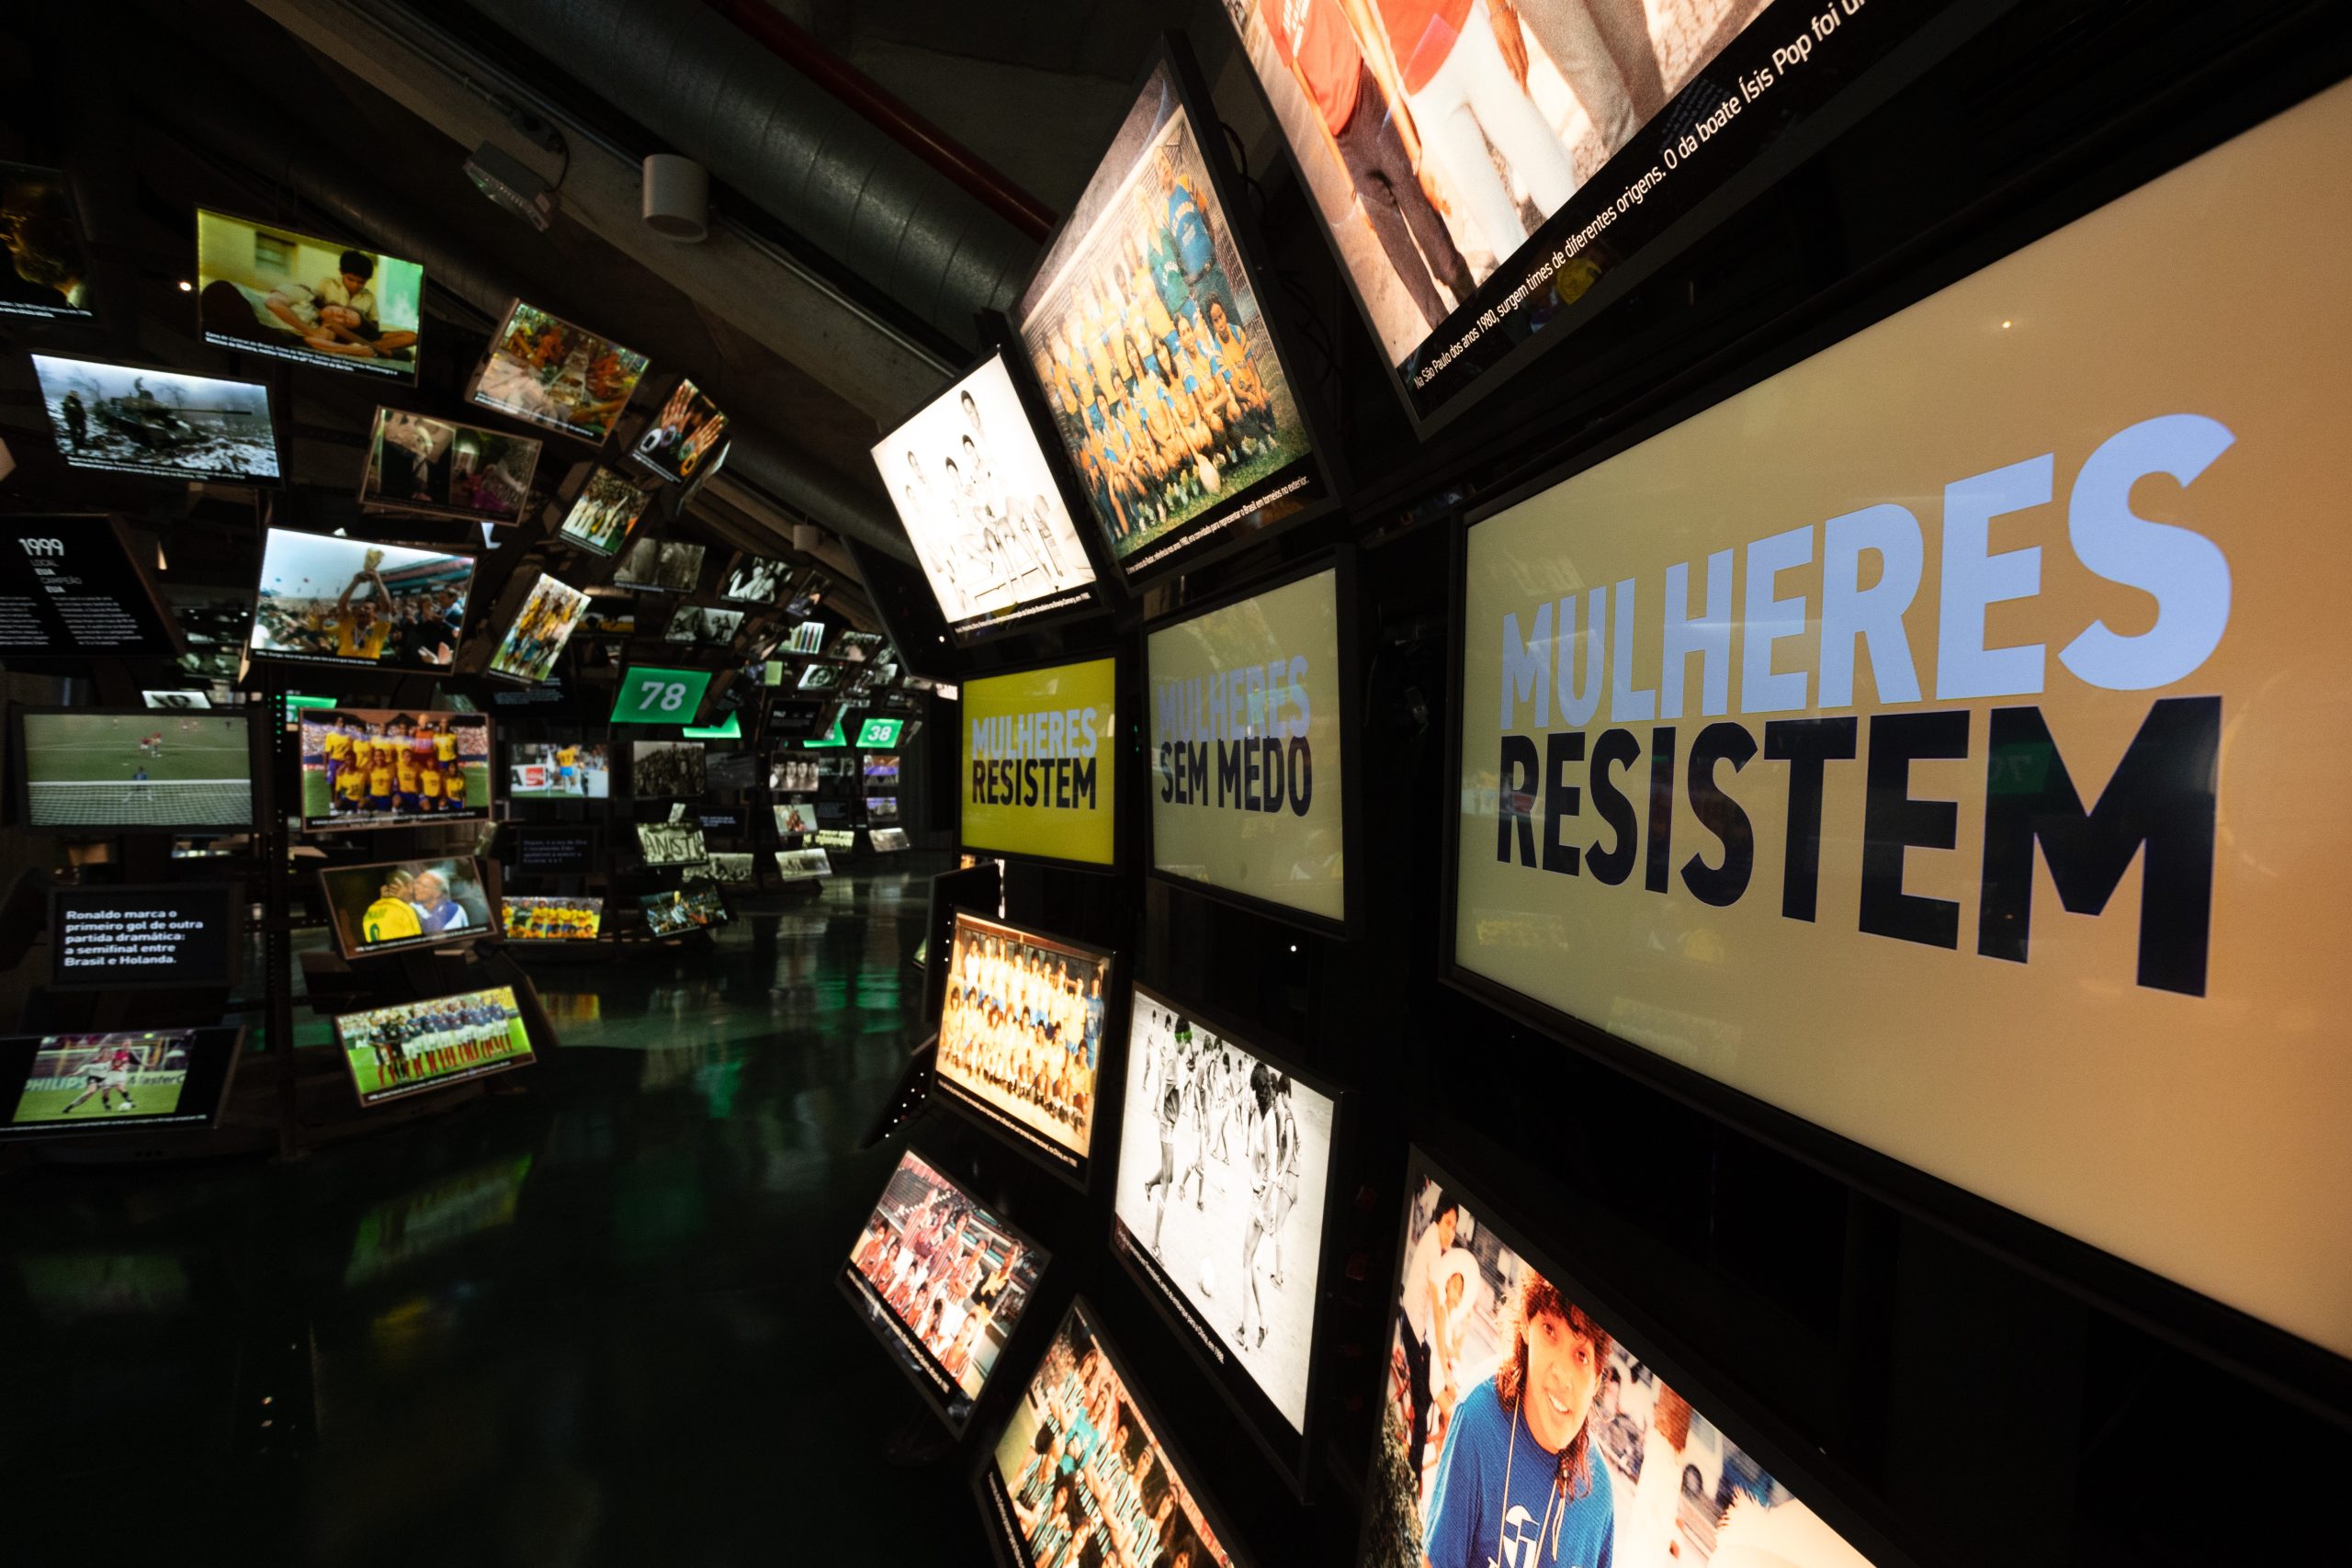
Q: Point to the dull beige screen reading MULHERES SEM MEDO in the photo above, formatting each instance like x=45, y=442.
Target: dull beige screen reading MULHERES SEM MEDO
x=1245, y=744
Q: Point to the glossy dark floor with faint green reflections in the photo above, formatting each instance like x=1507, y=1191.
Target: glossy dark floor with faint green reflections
x=589, y=1320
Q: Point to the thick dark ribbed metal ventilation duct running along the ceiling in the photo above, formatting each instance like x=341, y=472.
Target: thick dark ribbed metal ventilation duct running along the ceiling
x=763, y=128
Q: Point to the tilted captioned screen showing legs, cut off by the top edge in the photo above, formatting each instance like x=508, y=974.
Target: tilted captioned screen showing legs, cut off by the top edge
x=1495, y=175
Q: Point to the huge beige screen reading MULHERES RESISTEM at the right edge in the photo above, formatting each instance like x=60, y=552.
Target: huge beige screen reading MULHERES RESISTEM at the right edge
x=1958, y=676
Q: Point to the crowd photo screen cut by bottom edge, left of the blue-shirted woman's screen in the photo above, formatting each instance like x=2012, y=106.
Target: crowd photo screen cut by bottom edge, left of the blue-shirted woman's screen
x=1081, y=1463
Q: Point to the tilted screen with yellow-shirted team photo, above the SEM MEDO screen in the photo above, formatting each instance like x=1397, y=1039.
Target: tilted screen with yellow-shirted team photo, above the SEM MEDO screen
x=1156, y=356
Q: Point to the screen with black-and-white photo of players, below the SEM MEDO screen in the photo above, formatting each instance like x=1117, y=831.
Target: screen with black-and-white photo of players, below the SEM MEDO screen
x=1220, y=1205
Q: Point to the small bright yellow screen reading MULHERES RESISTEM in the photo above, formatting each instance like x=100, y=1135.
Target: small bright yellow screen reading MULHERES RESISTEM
x=1041, y=763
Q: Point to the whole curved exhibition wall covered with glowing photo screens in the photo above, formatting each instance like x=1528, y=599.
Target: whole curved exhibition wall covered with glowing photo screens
x=1619, y=709
